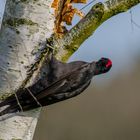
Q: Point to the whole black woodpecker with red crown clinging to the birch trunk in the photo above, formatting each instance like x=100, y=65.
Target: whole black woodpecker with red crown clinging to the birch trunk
x=65, y=80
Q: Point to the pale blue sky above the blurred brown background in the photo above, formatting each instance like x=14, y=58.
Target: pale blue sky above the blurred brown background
x=117, y=39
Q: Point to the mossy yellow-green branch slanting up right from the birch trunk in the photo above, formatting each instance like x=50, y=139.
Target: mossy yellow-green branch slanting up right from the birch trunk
x=98, y=14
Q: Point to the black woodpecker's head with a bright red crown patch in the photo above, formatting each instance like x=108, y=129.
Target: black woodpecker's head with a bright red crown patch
x=103, y=66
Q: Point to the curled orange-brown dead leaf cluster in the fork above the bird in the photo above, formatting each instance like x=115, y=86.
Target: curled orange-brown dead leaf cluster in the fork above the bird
x=66, y=14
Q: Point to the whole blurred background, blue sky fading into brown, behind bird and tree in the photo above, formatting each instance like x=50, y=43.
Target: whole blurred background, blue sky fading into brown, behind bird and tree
x=110, y=108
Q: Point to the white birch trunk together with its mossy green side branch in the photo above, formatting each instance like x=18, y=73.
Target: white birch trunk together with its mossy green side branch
x=25, y=27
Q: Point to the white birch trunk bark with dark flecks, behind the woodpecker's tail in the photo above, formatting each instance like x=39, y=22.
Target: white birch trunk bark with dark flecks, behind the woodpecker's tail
x=25, y=27
